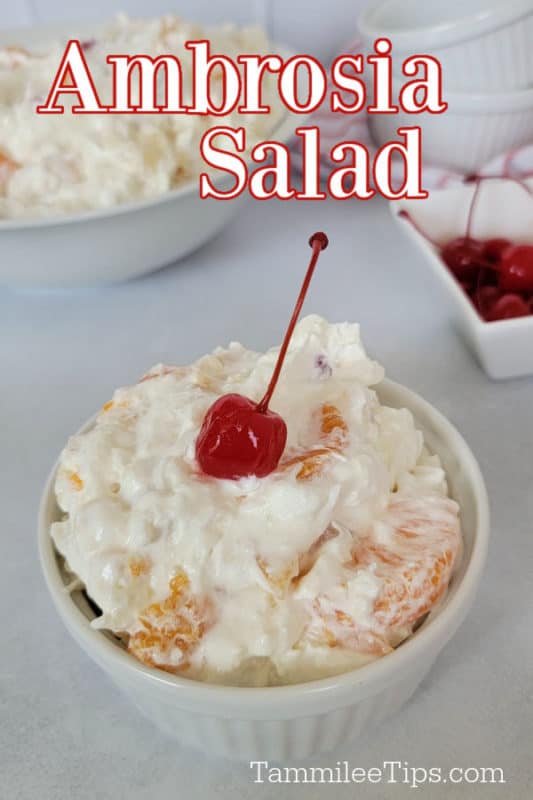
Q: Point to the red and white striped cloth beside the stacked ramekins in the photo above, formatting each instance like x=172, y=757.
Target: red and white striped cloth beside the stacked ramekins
x=335, y=128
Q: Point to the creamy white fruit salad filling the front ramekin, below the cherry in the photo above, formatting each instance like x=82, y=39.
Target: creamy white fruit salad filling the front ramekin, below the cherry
x=325, y=564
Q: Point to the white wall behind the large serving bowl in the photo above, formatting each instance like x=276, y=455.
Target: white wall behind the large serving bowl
x=317, y=26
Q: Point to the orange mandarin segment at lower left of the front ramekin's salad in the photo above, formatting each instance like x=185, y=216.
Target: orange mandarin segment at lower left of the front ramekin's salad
x=176, y=624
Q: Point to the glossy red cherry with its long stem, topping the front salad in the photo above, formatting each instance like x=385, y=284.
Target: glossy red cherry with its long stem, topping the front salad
x=240, y=437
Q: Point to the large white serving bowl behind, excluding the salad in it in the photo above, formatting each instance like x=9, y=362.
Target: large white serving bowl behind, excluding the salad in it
x=112, y=245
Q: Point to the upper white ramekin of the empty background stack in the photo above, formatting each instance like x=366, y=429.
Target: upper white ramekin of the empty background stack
x=483, y=45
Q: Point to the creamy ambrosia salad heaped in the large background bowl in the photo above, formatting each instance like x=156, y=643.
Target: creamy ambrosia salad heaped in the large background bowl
x=61, y=164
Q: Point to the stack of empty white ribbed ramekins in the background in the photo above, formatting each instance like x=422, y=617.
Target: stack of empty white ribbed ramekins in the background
x=486, y=51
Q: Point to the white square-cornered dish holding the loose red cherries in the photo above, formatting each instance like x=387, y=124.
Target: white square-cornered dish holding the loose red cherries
x=504, y=348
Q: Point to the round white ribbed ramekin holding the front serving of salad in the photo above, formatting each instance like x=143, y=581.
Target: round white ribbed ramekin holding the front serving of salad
x=287, y=722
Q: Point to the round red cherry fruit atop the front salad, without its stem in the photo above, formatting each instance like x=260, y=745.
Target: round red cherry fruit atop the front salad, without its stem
x=237, y=440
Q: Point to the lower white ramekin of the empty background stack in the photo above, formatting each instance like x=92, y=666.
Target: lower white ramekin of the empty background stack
x=474, y=129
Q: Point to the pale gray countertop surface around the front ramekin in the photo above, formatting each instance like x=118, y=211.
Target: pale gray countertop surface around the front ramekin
x=65, y=731
